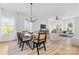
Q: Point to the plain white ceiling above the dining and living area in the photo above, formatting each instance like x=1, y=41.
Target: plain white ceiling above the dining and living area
x=42, y=10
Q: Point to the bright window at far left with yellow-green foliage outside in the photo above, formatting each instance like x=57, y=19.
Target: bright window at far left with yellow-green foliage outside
x=7, y=25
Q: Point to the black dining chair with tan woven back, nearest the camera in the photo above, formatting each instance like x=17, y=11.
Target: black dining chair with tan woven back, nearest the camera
x=41, y=39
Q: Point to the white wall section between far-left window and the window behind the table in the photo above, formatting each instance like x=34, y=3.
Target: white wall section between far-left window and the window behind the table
x=19, y=22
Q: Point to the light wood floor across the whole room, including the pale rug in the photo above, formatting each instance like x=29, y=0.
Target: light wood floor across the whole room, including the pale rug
x=52, y=48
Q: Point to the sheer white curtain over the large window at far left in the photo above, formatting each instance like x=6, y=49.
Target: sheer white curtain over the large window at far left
x=7, y=28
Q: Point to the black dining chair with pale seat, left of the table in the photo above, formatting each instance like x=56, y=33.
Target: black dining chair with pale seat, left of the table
x=22, y=40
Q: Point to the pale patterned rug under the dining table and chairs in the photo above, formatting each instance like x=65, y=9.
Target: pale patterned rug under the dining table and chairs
x=51, y=49
